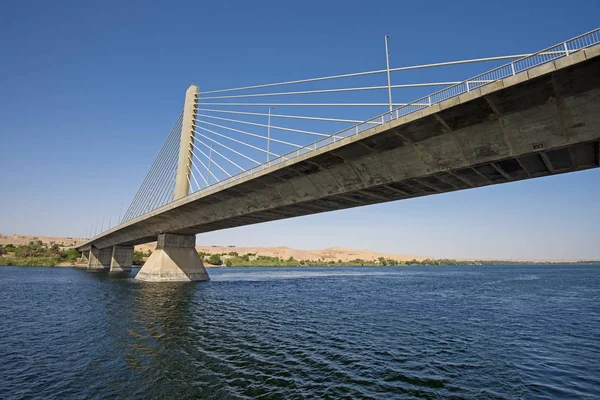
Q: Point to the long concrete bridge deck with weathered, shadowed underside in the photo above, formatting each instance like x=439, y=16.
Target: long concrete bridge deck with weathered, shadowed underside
x=537, y=123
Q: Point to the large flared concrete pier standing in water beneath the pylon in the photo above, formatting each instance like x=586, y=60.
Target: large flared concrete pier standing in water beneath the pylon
x=174, y=260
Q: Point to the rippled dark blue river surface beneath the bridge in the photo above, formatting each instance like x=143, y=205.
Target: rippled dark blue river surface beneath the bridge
x=482, y=332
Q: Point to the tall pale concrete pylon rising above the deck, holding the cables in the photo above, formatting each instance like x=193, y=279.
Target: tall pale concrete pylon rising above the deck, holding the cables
x=182, y=180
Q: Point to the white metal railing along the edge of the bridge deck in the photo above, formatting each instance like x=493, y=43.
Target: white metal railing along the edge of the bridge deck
x=552, y=53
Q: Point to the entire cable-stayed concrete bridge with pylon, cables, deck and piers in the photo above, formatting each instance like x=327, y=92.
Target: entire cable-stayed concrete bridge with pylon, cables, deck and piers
x=537, y=115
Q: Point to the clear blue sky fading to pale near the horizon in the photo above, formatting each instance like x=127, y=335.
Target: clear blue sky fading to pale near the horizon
x=91, y=89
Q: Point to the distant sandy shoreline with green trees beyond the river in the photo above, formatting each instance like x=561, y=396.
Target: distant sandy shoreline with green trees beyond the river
x=27, y=250
